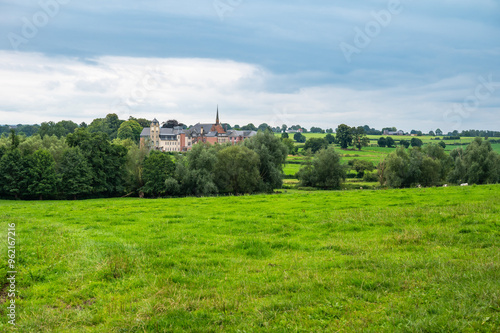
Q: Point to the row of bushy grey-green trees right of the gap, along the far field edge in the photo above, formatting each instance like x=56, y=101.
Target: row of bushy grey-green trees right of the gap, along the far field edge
x=426, y=166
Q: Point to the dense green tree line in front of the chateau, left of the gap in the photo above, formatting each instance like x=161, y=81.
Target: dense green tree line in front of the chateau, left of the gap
x=90, y=165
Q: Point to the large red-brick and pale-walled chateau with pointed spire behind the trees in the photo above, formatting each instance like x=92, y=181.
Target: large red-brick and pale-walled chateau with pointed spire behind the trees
x=171, y=138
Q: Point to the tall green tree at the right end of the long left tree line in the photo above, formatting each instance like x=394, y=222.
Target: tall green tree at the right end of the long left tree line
x=272, y=154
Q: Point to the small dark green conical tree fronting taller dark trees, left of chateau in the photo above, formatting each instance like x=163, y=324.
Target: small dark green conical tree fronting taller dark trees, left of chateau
x=75, y=173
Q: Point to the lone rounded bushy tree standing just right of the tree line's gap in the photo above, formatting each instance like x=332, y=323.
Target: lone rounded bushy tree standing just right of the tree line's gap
x=325, y=171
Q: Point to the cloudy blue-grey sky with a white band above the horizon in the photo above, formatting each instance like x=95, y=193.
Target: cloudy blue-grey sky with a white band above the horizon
x=409, y=64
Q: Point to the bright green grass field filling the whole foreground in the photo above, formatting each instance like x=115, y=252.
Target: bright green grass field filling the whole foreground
x=417, y=260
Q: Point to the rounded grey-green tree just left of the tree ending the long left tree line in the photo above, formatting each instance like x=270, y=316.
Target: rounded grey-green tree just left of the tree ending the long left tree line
x=237, y=170
